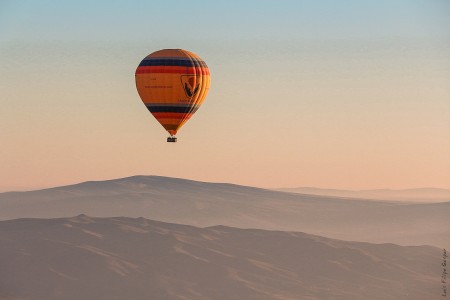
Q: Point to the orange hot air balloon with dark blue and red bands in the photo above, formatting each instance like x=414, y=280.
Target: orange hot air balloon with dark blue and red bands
x=172, y=83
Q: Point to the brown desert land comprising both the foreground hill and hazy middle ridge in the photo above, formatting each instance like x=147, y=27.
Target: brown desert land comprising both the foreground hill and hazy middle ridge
x=167, y=238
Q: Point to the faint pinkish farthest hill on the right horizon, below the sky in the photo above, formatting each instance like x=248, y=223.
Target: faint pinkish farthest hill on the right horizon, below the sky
x=417, y=195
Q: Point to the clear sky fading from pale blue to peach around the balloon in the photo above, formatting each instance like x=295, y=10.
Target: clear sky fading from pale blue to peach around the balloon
x=335, y=94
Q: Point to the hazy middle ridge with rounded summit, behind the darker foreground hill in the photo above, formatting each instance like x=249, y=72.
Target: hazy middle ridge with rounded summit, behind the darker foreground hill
x=208, y=204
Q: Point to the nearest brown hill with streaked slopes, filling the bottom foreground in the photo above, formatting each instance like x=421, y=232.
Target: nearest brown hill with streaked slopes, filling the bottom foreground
x=123, y=258
